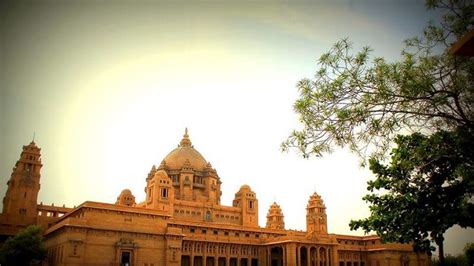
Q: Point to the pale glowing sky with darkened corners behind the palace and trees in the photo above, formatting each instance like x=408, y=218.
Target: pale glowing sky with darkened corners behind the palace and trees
x=108, y=87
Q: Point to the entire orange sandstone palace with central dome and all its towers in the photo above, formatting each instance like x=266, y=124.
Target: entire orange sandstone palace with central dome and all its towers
x=182, y=222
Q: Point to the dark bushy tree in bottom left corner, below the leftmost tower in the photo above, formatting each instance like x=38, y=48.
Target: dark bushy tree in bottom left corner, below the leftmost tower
x=24, y=248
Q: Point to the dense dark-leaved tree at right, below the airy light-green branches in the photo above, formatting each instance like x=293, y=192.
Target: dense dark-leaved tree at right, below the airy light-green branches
x=426, y=189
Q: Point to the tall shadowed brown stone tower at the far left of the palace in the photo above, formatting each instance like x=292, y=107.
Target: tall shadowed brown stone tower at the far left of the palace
x=20, y=201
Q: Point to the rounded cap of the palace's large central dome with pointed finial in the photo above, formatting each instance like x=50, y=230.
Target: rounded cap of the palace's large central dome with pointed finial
x=185, y=154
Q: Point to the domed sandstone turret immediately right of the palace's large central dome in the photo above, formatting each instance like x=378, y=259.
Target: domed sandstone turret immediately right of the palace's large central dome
x=246, y=200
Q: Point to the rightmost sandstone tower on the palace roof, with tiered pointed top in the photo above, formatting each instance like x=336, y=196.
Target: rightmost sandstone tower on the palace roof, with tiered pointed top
x=316, y=218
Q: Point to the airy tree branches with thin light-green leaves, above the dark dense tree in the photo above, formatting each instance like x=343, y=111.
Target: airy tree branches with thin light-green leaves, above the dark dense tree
x=363, y=103
